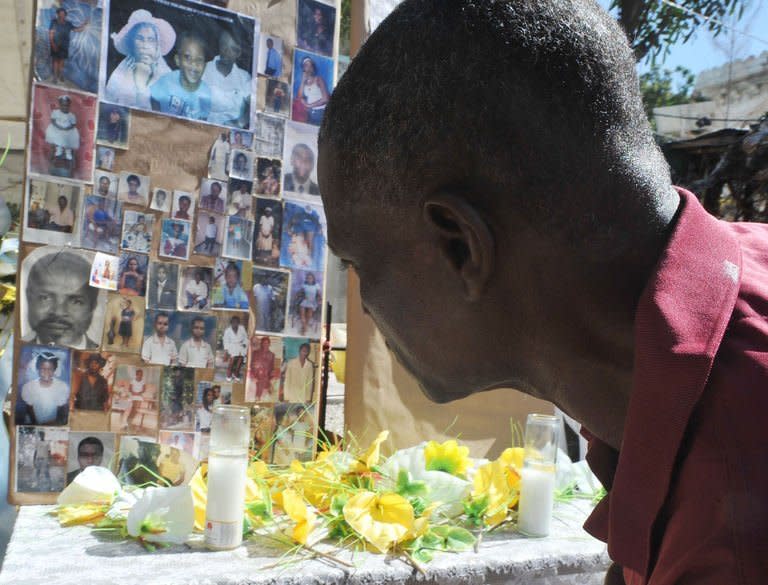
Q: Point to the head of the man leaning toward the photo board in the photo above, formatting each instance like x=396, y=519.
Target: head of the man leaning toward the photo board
x=540, y=168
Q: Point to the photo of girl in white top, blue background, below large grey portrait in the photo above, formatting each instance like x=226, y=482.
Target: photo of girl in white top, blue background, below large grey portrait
x=43, y=386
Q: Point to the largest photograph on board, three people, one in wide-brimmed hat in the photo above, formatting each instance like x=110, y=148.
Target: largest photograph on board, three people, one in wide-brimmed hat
x=180, y=58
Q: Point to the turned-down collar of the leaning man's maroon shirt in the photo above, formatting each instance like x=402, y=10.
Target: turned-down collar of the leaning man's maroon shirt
x=680, y=321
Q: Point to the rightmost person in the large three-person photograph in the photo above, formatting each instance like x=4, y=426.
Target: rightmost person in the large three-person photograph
x=230, y=85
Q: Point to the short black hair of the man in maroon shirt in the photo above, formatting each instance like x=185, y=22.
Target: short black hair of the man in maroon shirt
x=537, y=99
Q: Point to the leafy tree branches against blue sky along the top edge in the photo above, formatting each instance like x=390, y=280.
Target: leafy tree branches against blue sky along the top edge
x=654, y=27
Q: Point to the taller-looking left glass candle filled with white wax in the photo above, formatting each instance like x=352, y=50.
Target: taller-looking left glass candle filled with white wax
x=227, y=465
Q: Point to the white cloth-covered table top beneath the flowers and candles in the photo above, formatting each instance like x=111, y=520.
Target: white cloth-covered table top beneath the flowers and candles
x=40, y=552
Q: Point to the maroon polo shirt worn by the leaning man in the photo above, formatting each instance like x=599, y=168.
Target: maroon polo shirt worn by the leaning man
x=688, y=492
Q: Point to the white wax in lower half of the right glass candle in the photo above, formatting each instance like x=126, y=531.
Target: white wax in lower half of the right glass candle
x=537, y=495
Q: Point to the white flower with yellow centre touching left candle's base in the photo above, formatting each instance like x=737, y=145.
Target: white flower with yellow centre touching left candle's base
x=162, y=515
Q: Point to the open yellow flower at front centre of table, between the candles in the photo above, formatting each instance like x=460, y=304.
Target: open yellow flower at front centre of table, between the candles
x=383, y=520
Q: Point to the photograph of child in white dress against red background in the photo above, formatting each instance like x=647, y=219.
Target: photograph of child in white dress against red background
x=62, y=133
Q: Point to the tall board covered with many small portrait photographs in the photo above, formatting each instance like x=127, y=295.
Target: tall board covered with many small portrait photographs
x=144, y=303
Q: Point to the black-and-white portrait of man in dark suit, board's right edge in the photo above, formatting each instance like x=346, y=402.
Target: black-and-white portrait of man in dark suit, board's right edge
x=300, y=161
